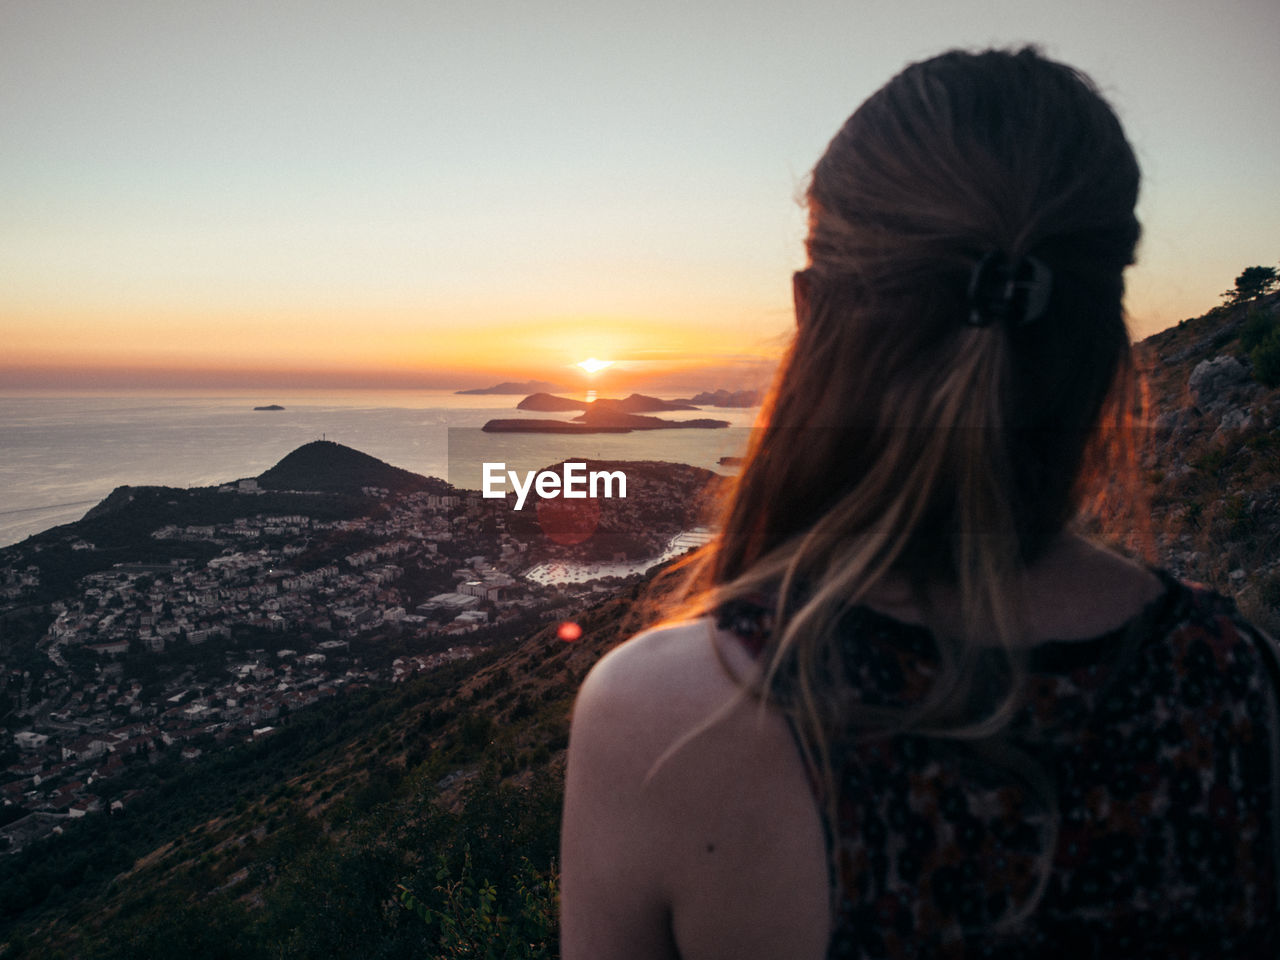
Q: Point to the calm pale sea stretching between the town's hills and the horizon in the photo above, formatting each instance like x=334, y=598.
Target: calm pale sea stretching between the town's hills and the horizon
x=60, y=456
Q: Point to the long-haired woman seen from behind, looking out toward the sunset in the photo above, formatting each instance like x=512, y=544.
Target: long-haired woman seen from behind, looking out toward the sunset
x=906, y=710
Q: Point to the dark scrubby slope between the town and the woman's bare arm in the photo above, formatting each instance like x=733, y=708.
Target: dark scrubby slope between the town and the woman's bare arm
x=369, y=826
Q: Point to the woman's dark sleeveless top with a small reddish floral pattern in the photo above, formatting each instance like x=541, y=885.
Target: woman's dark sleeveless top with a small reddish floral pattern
x=1159, y=746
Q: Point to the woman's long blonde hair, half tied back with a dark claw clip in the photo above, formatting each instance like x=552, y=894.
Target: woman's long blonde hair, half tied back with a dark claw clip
x=902, y=441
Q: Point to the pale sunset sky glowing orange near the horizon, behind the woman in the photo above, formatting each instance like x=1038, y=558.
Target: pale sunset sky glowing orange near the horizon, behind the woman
x=450, y=194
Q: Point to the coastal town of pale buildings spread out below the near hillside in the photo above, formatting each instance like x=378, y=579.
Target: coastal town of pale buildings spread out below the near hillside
x=234, y=627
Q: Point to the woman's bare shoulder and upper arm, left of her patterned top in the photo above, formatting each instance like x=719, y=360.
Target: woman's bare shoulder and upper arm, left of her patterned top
x=689, y=829
